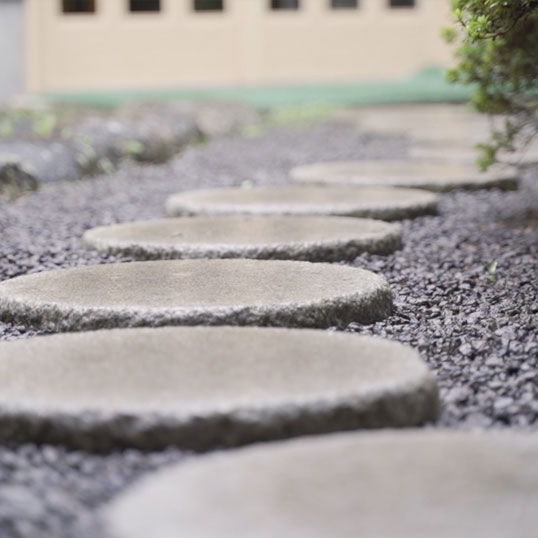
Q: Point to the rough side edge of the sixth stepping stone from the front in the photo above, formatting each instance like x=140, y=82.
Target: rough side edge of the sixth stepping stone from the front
x=498, y=180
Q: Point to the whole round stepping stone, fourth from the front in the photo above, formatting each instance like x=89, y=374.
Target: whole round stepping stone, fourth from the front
x=292, y=238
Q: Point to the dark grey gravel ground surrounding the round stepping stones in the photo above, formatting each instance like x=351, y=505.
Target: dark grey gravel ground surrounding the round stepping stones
x=476, y=328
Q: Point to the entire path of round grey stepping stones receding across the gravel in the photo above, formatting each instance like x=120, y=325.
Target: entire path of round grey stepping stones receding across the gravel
x=203, y=388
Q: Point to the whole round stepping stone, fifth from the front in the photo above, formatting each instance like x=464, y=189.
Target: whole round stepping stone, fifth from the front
x=377, y=203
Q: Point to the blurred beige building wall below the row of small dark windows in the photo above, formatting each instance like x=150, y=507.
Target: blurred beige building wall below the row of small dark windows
x=245, y=44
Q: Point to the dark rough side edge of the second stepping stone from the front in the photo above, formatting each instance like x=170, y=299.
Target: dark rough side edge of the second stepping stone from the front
x=411, y=403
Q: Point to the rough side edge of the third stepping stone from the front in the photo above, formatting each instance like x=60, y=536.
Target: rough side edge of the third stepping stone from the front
x=367, y=306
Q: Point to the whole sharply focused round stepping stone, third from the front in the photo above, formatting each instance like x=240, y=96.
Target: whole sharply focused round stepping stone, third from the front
x=196, y=292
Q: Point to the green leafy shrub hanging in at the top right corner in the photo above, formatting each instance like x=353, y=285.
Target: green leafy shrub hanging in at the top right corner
x=498, y=56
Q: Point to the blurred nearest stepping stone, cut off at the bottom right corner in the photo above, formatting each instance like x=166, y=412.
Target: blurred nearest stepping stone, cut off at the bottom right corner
x=416, y=484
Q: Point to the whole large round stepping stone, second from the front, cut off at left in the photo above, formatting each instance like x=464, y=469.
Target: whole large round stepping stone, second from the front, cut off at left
x=204, y=387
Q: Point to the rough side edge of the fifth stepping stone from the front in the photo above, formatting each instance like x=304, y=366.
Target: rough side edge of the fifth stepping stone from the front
x=399, y=211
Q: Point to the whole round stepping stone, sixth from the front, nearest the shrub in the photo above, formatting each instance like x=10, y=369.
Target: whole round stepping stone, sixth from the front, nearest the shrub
x=406, y=173
